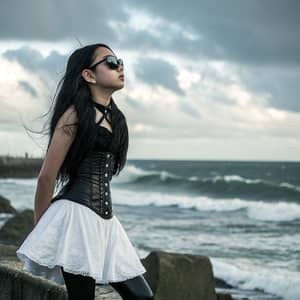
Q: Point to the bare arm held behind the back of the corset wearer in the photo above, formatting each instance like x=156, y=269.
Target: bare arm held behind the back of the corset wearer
x=61, y=142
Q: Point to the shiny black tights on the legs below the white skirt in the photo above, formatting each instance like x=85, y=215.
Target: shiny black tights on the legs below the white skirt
x=81, y=287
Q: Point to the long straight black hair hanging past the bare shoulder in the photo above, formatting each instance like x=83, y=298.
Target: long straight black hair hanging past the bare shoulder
x=74, y=90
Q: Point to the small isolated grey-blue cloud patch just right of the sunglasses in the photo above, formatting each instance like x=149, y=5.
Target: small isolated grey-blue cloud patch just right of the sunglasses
x=158, y=72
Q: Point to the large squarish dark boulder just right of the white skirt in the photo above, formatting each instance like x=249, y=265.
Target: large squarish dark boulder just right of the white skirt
x=179, y=276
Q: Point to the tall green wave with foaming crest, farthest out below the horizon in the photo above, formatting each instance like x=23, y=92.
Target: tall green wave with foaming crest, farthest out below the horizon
x=230, y=185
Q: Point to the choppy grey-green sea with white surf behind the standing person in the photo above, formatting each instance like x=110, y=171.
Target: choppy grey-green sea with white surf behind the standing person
x=243, y=215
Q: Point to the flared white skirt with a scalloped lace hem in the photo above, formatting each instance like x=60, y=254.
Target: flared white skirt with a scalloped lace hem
x=73, y=236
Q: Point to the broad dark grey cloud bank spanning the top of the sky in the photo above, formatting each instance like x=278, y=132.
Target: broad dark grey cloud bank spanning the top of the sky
x=252, y=32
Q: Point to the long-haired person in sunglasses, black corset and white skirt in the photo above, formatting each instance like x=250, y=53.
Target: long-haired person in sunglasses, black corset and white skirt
x=77, y=240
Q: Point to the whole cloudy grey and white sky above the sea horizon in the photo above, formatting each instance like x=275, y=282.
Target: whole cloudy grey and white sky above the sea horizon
x=204, y=79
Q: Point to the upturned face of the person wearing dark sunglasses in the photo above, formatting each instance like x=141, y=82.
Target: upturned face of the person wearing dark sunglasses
x=103, y=75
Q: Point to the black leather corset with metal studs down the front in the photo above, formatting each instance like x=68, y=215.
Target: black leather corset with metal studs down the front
x=91, y=185
